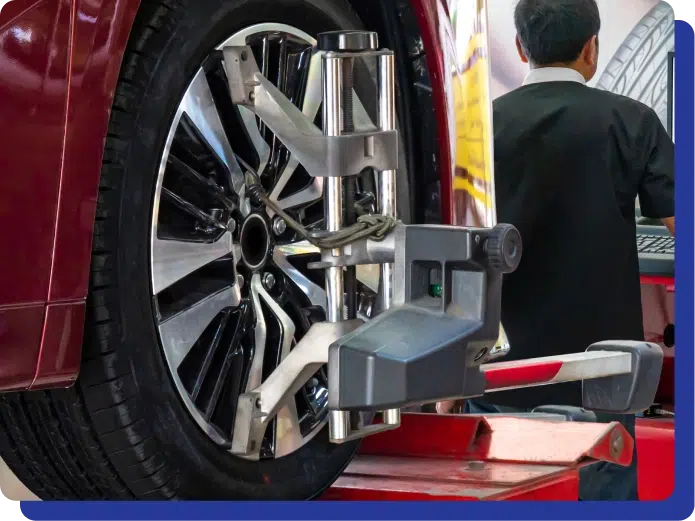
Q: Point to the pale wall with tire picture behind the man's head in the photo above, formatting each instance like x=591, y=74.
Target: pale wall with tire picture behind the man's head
x=635, y=38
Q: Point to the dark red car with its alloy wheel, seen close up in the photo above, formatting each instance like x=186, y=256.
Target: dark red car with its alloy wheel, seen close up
x=135, y=284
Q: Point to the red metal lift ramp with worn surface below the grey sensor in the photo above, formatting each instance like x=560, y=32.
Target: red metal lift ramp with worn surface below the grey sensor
x=466, y=457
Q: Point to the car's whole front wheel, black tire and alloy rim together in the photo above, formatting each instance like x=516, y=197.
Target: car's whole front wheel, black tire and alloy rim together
x=195, y=292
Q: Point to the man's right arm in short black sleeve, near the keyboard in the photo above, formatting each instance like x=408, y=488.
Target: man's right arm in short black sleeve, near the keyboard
x=657, y=186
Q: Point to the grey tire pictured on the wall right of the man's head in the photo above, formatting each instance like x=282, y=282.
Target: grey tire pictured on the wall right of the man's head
x=639, y=68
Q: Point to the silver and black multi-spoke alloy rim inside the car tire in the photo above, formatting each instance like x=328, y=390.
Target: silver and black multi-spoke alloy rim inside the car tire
x=228, y=305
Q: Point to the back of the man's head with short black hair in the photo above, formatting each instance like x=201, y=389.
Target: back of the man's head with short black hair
x=558, y=33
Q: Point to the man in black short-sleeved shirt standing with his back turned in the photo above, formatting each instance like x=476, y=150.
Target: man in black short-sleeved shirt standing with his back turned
x=570, y=161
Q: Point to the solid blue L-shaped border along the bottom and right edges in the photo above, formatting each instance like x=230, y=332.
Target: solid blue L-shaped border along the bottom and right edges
x=680, y=506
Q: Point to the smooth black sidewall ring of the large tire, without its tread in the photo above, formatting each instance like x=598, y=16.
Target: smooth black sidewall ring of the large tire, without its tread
x=205, y=470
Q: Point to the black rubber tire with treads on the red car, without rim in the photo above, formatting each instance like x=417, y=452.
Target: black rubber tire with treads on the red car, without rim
x=122, y=431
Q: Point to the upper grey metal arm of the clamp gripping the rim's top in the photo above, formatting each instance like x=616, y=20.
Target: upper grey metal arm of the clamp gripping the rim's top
x=321, y=156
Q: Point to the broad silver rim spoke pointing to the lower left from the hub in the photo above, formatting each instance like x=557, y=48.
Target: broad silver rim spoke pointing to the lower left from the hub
x=182, y=331
